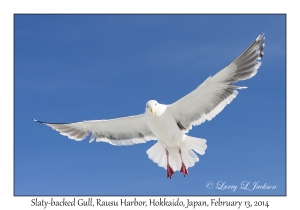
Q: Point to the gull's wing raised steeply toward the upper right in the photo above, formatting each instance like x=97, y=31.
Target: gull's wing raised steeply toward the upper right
x=210, y=98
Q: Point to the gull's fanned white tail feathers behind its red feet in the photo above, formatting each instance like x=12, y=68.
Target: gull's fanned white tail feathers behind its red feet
x=157, y=153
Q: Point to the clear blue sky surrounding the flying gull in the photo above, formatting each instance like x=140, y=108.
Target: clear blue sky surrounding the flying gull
x=70, y=68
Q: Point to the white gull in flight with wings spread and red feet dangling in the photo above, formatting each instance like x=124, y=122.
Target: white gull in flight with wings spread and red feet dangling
x=169, y=124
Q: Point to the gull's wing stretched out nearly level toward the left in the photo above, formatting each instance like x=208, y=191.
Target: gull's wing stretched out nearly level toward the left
x=119, y=131
